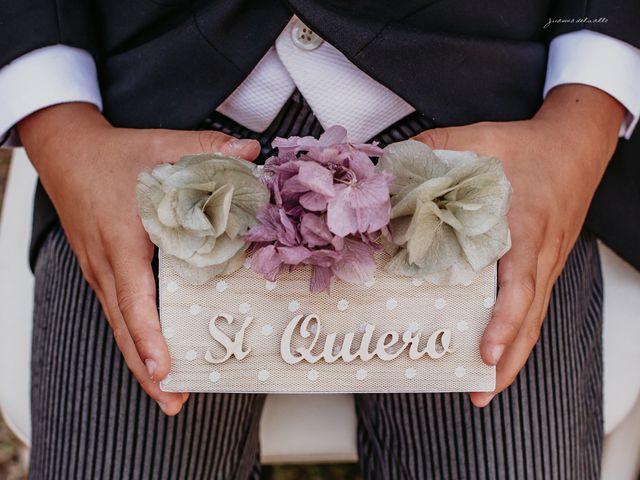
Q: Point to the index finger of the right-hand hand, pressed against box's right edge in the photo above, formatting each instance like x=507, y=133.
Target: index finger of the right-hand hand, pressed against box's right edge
x=517, y=274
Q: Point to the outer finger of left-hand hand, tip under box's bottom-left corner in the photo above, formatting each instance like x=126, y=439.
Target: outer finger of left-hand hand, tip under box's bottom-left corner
x=169, y=402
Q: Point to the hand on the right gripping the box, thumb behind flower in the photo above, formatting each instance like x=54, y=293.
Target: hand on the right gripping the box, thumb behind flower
x=554, y=162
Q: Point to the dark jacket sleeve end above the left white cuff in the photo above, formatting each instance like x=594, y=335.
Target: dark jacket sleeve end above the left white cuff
x=26, y=25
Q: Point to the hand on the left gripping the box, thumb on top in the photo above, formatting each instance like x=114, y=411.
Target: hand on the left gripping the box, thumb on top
x=89, y=170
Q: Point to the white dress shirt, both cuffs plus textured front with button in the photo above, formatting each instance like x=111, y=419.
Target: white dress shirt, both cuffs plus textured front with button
x=337, y=91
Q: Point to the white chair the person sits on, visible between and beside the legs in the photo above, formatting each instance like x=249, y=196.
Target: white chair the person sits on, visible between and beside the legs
x=286, y=421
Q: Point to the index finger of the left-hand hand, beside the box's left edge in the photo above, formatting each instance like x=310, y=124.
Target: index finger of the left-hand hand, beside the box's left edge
x=136, y=295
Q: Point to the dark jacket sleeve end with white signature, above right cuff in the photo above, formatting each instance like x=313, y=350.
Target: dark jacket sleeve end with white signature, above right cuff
x=617, y=18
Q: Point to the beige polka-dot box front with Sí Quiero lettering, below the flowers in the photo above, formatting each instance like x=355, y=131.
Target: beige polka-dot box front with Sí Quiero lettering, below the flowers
x=241, y=333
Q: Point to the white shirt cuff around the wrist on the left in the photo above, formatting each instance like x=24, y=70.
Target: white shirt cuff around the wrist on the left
x=41, y=78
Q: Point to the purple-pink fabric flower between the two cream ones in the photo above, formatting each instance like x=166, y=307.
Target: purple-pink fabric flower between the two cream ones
x=328, y=207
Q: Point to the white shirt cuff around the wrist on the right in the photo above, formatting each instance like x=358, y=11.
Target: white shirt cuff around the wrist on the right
x=601, y=61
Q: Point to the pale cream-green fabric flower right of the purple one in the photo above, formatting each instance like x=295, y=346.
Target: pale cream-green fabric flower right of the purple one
x=448, y=216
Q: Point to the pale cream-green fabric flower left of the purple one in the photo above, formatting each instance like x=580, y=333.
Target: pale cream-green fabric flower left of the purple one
x=199, y=209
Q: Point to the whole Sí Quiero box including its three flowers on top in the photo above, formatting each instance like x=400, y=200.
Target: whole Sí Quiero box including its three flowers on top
x=326, y=272
